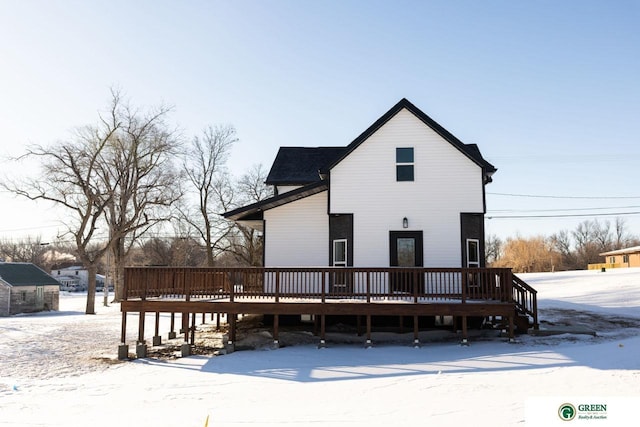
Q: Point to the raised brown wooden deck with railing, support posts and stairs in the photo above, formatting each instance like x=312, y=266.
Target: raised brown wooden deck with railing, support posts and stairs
x=321, y=292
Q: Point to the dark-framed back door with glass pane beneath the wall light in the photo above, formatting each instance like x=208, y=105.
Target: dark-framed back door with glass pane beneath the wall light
x=405, y=251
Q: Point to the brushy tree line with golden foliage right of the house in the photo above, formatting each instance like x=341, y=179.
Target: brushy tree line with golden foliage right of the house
x=565, y=250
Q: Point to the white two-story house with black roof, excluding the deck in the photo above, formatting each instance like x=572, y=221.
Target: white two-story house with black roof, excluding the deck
x=406, y=192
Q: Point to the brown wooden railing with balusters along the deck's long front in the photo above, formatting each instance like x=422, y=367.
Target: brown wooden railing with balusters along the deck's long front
x=328, y=283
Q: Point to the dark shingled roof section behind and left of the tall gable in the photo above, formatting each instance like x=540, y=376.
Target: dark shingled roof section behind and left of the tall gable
x=301, y=165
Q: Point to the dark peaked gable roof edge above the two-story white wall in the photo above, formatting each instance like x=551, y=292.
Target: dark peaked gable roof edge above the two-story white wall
x=469, y=150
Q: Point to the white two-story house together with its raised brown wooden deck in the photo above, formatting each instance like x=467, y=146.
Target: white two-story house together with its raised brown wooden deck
x=390, y=226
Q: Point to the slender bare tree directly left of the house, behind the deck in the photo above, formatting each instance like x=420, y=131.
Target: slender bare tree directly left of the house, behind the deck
x=204, y=166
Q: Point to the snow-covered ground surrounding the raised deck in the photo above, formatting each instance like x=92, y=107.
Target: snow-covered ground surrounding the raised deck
x=59, y=369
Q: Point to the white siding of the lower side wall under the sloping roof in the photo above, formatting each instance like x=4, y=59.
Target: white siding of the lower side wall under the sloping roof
x=297, y=234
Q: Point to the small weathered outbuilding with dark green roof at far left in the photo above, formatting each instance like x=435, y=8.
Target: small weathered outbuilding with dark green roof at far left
x=25, y=288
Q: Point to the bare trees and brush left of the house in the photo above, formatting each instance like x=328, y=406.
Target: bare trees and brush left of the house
x=136, y=192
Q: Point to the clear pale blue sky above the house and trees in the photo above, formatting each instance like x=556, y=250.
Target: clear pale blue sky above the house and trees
x=547, y=89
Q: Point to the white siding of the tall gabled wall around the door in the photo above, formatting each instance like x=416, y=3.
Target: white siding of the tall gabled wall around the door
x=446, y=184
